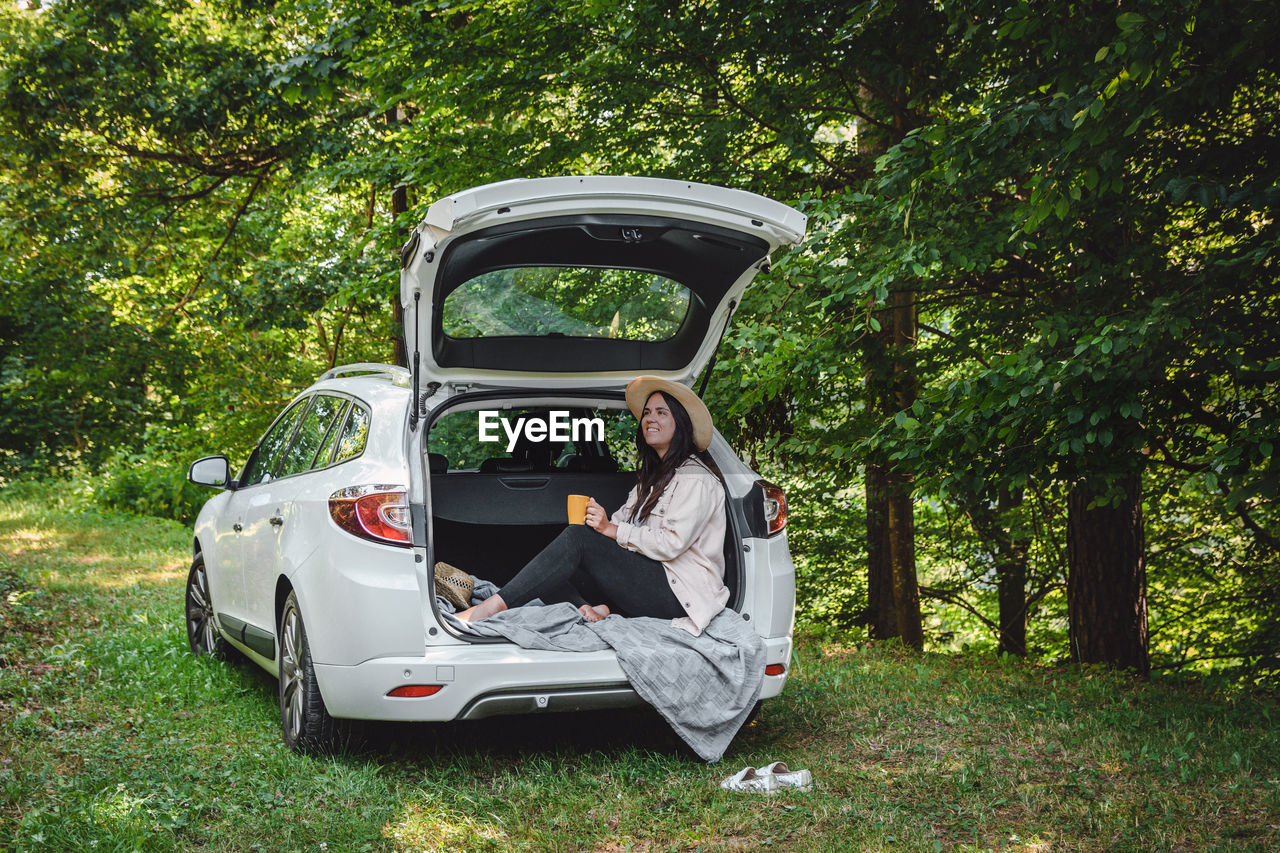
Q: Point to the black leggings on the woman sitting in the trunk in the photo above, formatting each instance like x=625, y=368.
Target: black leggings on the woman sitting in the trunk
x=582, y=563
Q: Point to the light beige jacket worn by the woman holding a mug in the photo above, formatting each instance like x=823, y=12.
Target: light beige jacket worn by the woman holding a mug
x=685, y=532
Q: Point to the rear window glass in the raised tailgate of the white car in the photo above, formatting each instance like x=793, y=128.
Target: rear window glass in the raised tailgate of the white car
x=566, y=302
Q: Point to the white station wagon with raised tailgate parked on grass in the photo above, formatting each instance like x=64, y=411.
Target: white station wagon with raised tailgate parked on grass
x=534, y=300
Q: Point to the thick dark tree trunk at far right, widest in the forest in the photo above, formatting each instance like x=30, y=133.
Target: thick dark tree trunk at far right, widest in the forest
x=1107, y=583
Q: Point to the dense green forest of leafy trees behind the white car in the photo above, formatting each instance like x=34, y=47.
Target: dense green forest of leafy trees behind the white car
x=1021, y=382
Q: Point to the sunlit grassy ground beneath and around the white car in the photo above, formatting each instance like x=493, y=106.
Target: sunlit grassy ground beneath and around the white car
x=115, y=738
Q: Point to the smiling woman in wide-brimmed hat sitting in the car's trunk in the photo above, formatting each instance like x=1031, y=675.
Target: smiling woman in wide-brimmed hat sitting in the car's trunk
x=662, y=554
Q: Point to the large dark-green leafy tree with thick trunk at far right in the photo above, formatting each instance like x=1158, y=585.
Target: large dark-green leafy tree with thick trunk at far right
x=1069, y=227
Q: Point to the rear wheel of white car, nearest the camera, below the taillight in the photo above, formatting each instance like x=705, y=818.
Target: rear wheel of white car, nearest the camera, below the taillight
x=305, y=722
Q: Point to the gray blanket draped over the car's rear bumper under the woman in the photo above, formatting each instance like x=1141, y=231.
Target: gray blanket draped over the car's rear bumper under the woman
x=703, y=686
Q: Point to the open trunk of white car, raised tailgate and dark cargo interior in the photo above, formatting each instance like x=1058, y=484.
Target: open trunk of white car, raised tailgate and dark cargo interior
x=561, y=288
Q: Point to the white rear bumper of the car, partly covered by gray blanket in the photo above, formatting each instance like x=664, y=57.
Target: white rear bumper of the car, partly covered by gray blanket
x=493, y=679
